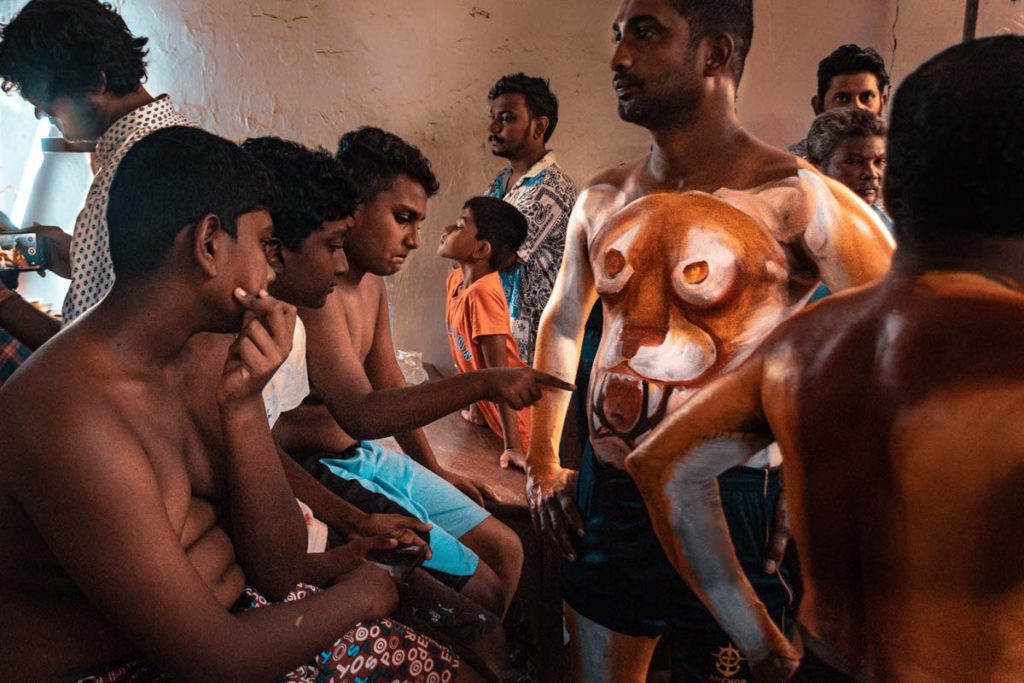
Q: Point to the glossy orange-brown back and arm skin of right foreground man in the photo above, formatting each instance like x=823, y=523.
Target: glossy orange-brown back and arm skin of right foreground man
x=898, y=409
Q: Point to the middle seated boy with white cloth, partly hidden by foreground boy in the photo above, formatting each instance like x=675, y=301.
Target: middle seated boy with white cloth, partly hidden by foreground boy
x=313, y=214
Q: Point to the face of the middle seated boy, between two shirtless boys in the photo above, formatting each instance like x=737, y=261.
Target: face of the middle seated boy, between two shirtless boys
x=307, y=277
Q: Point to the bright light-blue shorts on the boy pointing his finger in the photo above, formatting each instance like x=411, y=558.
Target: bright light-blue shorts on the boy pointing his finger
x=426, y=496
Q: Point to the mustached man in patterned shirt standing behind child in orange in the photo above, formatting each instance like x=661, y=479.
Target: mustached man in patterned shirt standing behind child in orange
x=524, y=115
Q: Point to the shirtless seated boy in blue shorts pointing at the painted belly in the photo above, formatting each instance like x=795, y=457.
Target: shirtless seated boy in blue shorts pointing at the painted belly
x=354, y=370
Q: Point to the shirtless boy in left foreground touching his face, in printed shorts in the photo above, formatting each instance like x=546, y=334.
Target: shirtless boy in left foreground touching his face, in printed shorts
x=117, y=545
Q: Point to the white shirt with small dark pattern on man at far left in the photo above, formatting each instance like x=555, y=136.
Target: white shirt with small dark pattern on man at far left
x=92, y=271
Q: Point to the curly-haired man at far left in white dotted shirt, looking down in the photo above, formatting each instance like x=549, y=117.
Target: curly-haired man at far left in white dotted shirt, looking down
x=77, y=63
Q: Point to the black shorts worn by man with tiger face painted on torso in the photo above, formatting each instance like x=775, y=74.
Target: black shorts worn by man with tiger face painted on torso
x=623, y=580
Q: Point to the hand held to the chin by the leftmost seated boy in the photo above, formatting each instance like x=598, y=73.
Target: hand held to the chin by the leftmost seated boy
x=264, y=344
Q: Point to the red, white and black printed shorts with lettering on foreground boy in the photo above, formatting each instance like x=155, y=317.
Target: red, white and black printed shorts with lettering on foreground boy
x=372, y=653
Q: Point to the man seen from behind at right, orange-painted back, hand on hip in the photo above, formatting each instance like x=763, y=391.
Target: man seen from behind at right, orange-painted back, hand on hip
x=899, y=409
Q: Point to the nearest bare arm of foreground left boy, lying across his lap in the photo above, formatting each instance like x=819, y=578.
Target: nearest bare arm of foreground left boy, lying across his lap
x=93, y=494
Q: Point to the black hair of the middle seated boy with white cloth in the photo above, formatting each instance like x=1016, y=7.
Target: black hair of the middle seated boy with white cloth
x=313, y=188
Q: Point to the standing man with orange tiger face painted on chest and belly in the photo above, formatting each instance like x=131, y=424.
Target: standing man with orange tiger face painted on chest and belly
x=697, y=251
